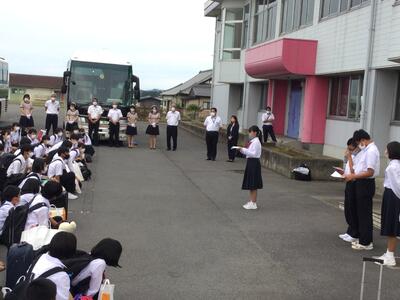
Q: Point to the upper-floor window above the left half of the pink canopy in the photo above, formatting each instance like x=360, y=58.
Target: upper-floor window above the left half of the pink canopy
x=264, y=21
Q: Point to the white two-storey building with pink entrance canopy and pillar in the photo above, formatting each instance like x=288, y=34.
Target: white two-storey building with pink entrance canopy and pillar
x=326, y=67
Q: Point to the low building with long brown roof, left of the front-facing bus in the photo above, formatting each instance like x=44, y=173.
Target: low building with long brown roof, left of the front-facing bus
x=38, y=87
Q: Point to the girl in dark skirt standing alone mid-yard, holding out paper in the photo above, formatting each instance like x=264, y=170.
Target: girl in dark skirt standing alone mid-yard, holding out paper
x=252, y=180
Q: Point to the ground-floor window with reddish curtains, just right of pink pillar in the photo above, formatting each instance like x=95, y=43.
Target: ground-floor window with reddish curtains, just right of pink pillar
x=345, y=96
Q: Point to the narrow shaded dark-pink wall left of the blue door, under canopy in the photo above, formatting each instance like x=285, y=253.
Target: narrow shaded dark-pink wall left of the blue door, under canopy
x=280, y=89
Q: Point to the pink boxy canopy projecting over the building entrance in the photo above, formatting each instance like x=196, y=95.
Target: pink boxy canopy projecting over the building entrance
x=282, y=57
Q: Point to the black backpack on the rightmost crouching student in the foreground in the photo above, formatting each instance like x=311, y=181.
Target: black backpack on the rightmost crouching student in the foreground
x=74, y=266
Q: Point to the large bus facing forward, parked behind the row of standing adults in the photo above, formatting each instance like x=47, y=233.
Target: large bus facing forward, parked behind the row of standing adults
x=101, y=76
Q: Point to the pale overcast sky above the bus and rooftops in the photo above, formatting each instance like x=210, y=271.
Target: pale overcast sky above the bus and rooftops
x=168, y=41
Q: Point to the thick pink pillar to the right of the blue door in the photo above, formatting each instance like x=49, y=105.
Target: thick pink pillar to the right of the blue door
x=315, y=108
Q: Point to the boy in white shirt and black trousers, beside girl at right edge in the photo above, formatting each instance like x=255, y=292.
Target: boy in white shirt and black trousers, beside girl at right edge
x=365, y=171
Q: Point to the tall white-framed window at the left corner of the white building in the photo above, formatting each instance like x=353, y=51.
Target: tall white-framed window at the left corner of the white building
x=232, y=33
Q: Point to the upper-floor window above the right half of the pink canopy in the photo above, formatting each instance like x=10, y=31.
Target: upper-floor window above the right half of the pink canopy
x=296, y=13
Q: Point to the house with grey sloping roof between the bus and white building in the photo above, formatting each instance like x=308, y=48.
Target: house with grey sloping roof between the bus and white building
x=196, y=90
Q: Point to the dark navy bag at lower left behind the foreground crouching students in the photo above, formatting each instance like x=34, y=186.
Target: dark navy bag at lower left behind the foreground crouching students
x=19, y=258
